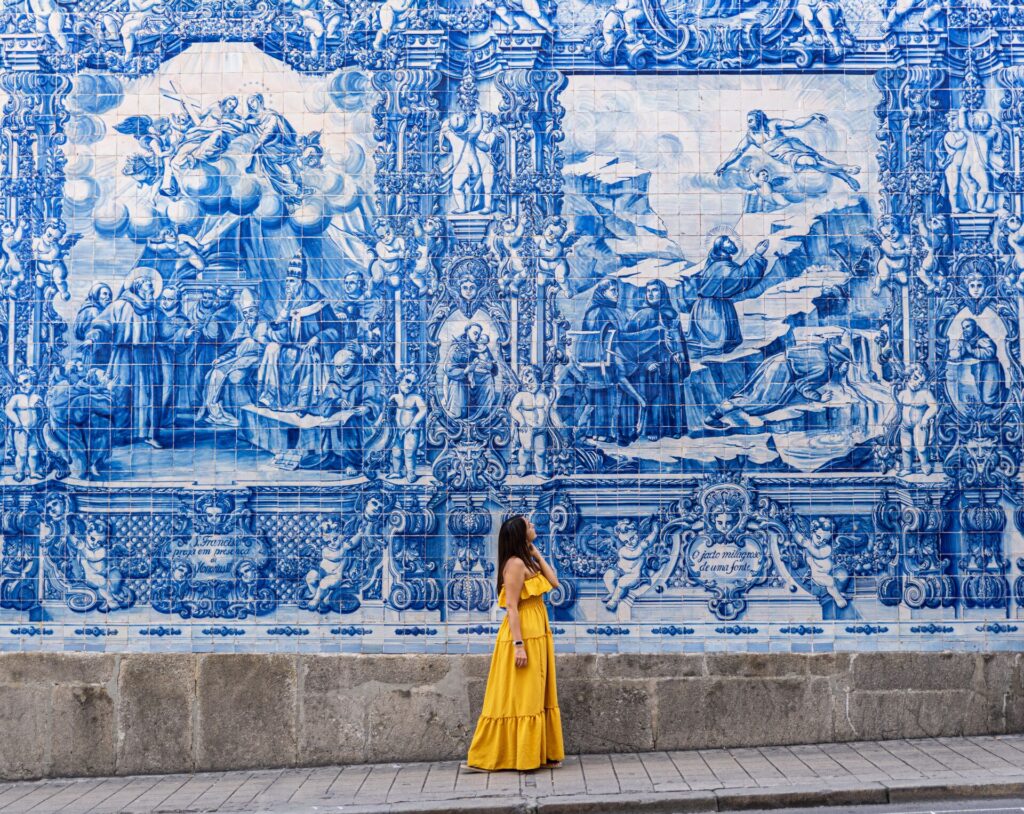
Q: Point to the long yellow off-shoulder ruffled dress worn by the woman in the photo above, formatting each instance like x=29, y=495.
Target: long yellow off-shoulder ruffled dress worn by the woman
x=521, y=726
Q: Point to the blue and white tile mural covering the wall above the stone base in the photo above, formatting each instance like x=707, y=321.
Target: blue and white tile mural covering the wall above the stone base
x=300, y=298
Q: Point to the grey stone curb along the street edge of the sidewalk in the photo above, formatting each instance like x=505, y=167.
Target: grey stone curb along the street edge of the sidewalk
x=722, y=800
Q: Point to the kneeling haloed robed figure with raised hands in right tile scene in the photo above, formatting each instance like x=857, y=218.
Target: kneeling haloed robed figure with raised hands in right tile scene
x=714, y=322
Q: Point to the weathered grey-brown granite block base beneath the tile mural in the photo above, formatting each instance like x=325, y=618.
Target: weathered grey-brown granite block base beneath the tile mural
x=75, y=714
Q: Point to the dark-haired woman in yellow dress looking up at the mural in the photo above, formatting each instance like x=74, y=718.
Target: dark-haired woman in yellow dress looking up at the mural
x=521, y=727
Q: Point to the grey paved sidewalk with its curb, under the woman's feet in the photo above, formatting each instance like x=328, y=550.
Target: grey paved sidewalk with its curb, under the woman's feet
x=879, y=773
